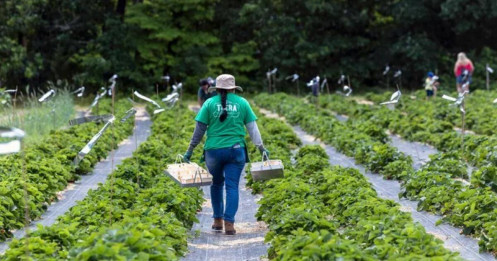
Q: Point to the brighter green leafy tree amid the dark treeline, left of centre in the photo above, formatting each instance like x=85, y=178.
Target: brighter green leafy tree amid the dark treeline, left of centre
x=172, y=37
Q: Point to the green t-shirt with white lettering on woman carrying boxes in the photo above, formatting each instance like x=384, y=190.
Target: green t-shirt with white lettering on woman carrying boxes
x=232, y=130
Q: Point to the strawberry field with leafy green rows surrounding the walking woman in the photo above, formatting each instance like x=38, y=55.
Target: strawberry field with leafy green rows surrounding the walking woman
x=323, y=209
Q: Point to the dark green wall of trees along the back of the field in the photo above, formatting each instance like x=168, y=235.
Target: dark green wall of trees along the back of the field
x=142, y=40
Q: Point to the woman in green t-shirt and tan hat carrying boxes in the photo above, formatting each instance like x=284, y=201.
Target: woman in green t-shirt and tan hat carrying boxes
x=224, y=117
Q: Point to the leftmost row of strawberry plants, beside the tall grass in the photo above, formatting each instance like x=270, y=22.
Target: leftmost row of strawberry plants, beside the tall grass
x=48, y=164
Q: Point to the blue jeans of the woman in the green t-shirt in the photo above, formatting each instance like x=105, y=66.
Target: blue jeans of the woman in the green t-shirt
x=225, y=165
